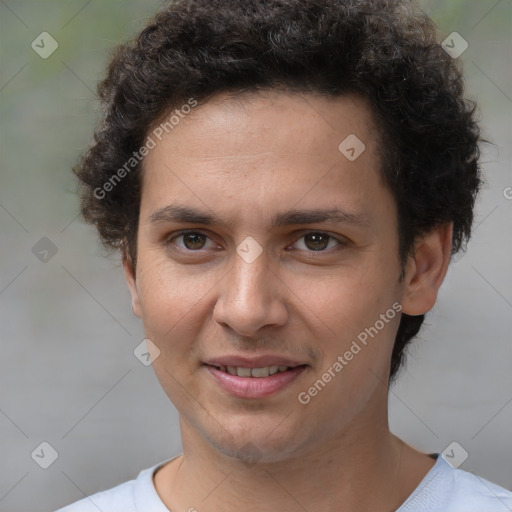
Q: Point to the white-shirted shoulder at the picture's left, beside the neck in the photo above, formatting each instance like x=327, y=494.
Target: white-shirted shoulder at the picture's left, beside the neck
x=129, y=496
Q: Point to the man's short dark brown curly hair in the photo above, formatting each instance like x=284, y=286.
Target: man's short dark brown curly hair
x=383, y=50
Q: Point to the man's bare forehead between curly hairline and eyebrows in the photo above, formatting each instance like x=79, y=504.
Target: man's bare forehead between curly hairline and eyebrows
x=266, y=150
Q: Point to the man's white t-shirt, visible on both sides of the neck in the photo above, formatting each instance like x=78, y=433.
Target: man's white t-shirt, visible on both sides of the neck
x=444, y=489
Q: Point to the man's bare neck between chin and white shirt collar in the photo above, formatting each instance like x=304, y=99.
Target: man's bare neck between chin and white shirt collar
x=334, y=476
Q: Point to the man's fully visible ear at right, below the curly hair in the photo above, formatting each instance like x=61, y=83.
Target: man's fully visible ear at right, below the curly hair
x=426, y=270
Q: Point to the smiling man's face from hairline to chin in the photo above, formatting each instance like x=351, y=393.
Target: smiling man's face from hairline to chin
x=240, y=267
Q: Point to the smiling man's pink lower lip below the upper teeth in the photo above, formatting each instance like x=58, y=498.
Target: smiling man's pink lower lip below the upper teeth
x=255, y=387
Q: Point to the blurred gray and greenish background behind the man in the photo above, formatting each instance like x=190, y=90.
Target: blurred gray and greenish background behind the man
x=68, y=375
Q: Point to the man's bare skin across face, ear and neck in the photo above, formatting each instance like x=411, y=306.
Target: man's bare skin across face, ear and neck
x=244, y=160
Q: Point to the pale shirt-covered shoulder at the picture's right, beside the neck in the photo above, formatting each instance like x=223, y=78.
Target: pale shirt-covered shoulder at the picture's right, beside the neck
x=446, y=489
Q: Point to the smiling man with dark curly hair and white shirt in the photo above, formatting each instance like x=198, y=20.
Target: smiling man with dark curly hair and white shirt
x=287, y=181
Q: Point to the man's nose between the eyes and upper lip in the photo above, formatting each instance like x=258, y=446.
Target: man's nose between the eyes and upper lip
x=251, y=297
